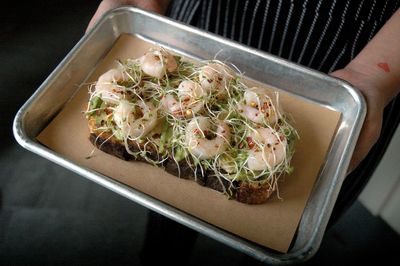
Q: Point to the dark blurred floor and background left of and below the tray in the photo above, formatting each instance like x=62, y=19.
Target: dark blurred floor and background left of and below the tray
x=49, y=215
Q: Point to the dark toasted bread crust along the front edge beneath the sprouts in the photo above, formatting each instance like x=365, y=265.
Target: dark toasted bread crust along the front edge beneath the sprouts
x=249, y=193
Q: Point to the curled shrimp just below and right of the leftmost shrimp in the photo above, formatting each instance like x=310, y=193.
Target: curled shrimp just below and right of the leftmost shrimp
x=135, y=120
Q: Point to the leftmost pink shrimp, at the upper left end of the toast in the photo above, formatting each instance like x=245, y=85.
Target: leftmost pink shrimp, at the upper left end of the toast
x=108, y=86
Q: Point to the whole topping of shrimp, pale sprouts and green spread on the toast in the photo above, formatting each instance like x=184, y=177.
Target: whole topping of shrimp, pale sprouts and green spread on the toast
x=199, y=115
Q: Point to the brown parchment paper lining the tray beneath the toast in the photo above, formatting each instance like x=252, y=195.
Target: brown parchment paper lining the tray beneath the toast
x=272, y=224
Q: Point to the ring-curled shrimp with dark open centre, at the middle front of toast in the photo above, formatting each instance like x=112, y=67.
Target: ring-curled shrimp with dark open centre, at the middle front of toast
x=205, y=142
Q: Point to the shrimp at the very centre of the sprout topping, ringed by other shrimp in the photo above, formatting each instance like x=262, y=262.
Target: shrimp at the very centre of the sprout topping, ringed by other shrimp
x=190, y=100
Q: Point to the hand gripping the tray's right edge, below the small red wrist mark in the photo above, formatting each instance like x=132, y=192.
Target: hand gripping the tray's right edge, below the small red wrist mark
x=371, y=128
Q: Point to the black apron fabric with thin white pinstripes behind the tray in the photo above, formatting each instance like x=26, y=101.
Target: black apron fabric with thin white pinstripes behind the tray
x=323, y=35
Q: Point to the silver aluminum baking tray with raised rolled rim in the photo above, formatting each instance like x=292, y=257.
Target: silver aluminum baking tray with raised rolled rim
x=302, y=82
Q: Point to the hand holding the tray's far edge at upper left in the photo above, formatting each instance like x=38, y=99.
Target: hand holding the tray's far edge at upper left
x=157, y=6
